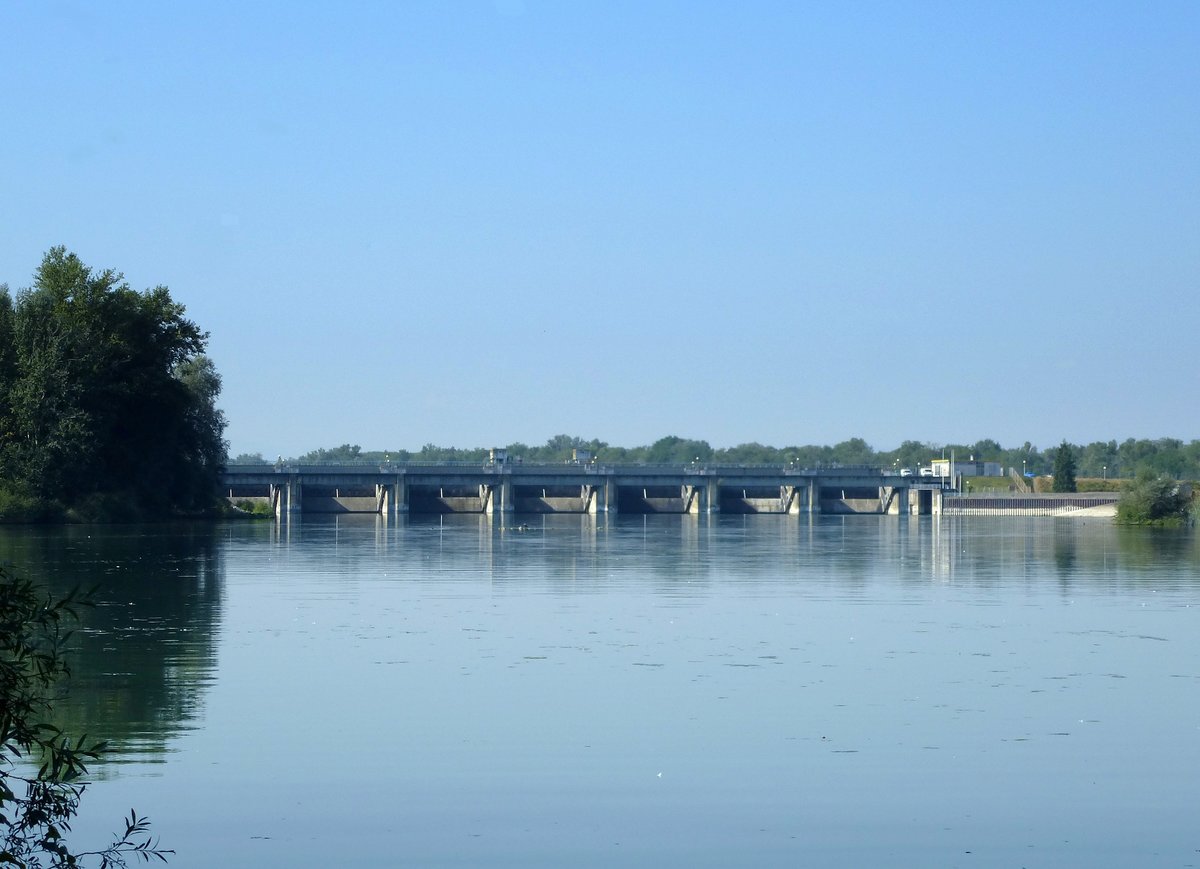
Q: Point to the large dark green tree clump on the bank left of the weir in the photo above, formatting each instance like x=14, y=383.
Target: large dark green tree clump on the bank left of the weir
x=107, y=401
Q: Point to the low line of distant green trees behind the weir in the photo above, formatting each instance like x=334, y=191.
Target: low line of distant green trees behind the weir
x=1101, y=459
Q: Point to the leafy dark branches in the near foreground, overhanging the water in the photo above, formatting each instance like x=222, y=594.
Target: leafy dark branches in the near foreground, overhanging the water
x=37, y=808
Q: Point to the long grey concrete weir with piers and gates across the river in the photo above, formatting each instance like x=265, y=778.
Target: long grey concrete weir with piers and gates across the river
x=520, y=488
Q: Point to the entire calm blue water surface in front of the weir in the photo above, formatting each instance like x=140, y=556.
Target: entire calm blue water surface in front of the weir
x=641, y=691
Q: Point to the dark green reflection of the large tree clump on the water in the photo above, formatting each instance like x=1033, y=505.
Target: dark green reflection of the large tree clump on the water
x=145, y=656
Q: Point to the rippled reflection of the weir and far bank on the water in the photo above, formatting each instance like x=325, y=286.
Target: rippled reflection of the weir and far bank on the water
x=697, y=552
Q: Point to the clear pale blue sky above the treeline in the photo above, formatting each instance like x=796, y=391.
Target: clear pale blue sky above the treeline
x=476, y=223
